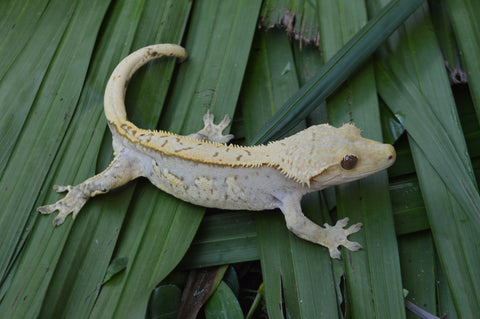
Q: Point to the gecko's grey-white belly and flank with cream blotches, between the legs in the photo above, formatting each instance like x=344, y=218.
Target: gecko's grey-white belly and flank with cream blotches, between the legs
x=221, y=187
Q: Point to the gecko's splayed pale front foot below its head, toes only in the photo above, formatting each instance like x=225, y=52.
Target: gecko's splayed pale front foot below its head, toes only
x=337, y=236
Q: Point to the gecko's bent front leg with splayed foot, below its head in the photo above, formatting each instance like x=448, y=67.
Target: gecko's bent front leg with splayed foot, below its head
x=330, y=236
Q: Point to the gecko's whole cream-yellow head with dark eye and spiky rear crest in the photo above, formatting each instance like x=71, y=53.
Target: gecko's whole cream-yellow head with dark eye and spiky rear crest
x=323, y=155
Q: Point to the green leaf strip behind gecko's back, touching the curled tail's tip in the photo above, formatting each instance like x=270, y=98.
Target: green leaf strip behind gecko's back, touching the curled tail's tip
x=217, y=63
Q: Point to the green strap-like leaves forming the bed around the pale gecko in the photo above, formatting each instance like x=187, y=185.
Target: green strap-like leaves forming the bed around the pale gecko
x=421, y=219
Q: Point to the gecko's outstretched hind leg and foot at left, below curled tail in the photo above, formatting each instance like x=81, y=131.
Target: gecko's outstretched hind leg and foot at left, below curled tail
x=121, y=170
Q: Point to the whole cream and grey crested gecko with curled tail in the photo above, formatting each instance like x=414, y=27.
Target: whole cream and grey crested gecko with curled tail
x=202, y=169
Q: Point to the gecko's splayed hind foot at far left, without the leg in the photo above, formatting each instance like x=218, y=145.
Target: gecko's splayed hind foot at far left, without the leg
x=70, y=204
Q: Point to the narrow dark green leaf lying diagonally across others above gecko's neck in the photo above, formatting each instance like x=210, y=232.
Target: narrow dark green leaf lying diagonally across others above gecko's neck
x=337, y=69
